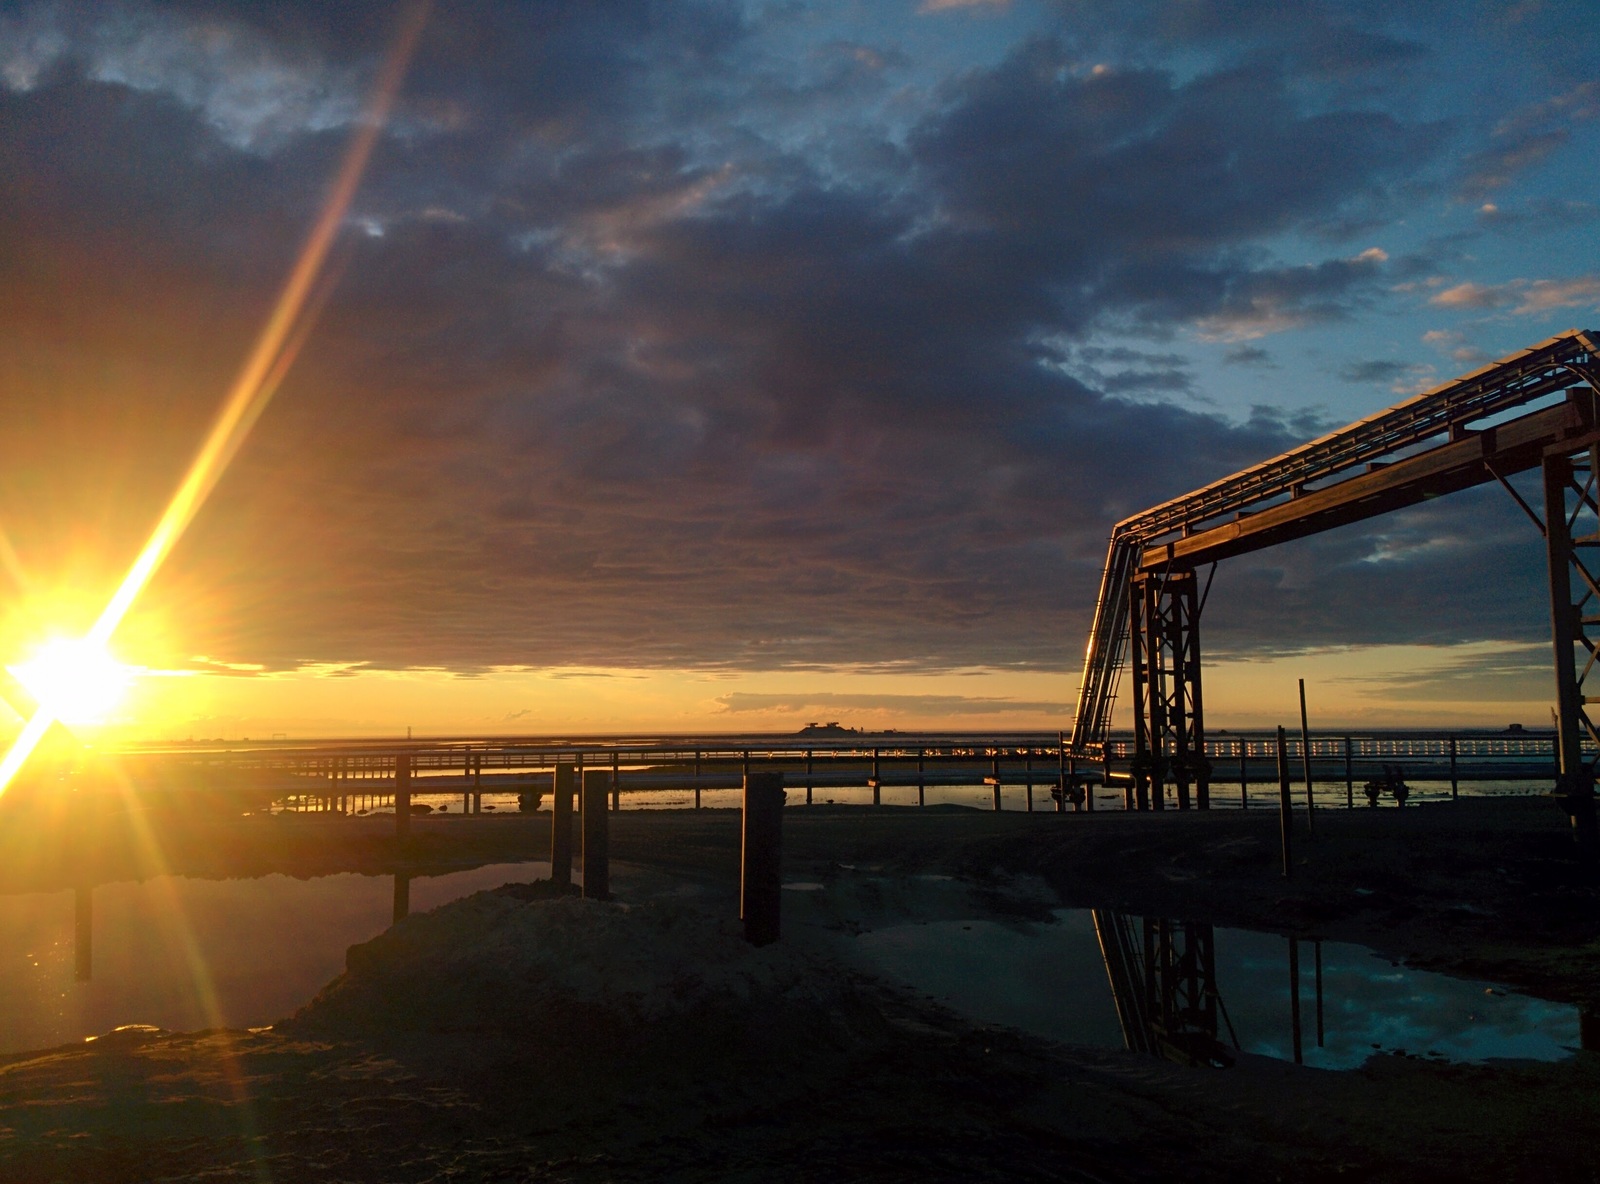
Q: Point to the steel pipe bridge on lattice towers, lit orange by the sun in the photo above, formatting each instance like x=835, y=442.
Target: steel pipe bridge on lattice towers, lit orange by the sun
x=1444, y=441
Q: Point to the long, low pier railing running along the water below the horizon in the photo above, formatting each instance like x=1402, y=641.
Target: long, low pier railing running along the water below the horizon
x=1036, y=769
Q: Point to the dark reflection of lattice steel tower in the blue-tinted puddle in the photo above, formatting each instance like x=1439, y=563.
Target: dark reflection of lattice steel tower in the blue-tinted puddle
x=1164, y=985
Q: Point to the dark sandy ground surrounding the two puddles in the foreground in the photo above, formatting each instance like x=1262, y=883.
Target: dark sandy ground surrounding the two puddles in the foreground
x=452, y=1052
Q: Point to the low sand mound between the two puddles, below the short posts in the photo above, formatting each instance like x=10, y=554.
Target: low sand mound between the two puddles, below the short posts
x=498, y=962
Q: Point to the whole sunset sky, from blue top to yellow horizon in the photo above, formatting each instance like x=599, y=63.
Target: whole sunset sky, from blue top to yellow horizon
x=726, y=367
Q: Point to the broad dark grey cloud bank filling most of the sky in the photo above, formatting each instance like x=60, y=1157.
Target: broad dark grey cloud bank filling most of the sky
x=623, y=374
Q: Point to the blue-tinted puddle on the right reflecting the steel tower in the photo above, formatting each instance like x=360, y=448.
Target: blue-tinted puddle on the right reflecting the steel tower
x=1199, y=994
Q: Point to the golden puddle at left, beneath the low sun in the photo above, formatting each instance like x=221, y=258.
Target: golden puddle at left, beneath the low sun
x=185, y=954
